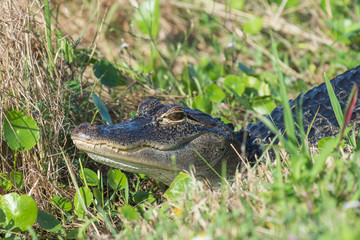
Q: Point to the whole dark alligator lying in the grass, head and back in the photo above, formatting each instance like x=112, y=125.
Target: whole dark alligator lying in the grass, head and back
x=161, y=140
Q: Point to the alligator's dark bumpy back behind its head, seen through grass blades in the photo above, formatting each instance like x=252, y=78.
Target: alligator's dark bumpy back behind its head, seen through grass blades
x=316, y=103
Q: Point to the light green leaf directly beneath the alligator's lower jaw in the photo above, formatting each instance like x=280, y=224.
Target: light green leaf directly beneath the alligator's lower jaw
x=182, y=183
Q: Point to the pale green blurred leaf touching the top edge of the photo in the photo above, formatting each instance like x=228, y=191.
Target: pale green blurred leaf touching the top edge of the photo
x=147, y=18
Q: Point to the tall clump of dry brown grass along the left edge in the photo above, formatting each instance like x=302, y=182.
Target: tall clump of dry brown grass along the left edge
x=26, y=85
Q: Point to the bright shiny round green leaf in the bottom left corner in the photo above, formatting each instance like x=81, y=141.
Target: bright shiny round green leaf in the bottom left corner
x=19, y=210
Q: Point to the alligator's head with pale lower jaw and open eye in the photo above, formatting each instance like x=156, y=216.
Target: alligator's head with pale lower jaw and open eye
x=162, y=140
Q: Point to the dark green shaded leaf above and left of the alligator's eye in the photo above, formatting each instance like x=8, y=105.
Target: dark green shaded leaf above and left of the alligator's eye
x=108, y=74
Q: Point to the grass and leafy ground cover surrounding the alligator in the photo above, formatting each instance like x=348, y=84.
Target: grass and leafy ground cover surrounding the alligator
x=227, y=59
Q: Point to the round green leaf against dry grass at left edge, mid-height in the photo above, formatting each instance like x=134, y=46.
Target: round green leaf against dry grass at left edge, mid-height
x=20, y=131
